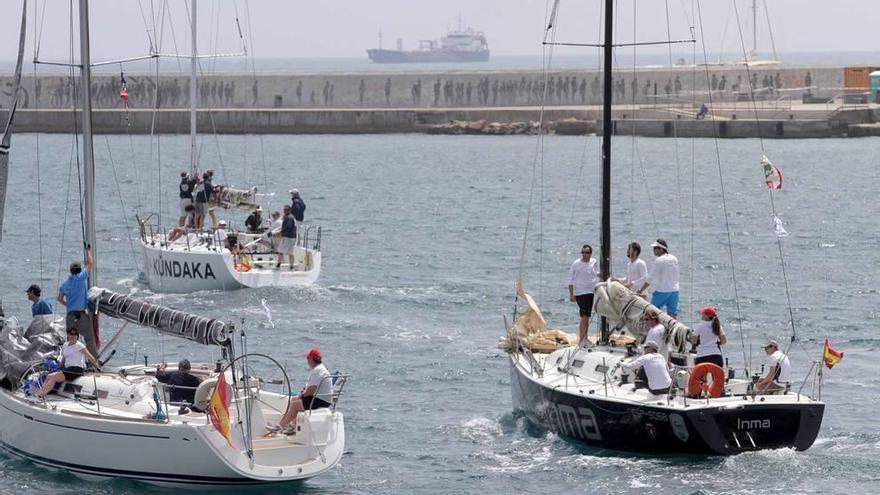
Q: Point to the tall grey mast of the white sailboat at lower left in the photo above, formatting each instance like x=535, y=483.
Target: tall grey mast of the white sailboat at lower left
x=88, y=148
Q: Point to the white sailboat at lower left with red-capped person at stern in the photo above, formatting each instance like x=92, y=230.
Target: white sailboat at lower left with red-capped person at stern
x=117, y=422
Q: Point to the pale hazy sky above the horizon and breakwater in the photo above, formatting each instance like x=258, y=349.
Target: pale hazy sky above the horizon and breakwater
x=345, y=28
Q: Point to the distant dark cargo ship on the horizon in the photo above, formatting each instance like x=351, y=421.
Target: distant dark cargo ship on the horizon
x=461, y=45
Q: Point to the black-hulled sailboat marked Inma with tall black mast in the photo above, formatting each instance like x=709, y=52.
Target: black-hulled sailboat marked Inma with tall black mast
x=582, y=392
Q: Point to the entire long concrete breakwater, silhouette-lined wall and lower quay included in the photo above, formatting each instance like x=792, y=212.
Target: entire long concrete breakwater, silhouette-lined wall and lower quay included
x=804, y=101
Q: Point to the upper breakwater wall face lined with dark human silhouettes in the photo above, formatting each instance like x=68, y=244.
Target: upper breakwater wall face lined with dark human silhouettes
x=426, y=89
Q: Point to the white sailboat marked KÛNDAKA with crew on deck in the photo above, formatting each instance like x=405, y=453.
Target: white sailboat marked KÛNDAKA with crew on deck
x=229, y=260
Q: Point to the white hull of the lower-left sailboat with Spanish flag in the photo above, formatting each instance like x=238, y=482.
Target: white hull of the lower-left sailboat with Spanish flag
x=185, y=450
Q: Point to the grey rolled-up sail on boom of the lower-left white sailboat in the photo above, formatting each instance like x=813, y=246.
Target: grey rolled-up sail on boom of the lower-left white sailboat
x=207, y=331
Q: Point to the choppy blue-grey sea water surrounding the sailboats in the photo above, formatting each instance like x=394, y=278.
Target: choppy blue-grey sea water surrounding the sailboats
x=422, y=239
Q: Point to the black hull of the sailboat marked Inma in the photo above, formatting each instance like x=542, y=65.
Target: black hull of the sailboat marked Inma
x=660, y=429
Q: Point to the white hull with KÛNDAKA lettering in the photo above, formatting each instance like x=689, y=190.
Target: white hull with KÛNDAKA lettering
x=181, y=271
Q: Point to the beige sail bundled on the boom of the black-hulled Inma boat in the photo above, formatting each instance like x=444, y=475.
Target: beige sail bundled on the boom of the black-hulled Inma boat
x=624, y=310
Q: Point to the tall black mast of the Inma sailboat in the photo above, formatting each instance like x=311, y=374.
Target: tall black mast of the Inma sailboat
x=605, y=261
